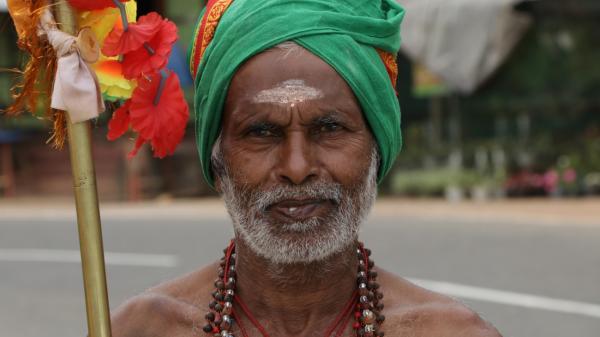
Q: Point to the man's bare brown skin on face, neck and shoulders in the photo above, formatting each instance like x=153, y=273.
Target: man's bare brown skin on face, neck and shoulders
x=269, y=140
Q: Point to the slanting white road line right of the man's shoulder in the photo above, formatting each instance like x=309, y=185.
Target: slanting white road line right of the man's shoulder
x=511, y=298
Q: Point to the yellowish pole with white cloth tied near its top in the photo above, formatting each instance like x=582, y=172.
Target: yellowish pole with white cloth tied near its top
x=88, y=212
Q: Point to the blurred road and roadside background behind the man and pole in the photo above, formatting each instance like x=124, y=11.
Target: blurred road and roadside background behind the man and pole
x=494, y=199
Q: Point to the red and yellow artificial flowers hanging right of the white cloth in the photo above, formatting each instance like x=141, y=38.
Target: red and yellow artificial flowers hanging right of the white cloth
x=132, y=67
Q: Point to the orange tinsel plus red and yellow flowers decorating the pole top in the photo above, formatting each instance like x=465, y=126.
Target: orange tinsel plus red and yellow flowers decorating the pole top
x=130, y=68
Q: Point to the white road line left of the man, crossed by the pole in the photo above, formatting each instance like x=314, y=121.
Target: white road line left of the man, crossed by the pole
x=73, y=256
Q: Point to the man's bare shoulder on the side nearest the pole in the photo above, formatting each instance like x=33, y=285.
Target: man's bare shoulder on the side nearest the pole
x=174, y=308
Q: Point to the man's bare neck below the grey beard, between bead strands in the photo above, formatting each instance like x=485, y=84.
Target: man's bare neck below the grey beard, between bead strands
x=295, y=299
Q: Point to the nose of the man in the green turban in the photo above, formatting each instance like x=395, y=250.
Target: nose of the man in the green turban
x=297, y=163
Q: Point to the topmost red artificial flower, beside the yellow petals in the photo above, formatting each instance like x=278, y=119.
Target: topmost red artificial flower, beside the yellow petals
x=121, y=41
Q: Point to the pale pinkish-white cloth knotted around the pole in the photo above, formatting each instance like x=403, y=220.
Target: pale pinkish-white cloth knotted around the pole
x=76, y=88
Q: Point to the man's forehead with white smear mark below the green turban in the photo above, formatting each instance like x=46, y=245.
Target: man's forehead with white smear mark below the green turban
x=287, y=76
